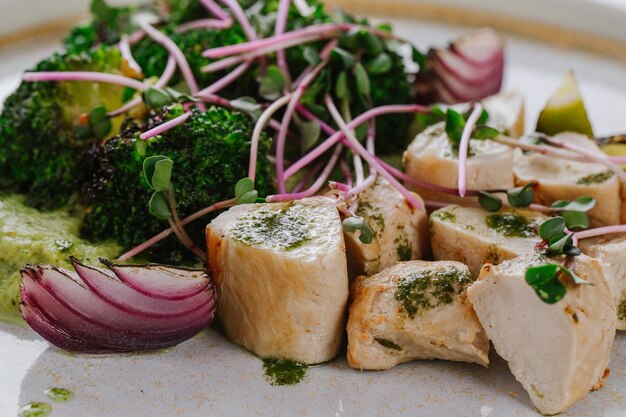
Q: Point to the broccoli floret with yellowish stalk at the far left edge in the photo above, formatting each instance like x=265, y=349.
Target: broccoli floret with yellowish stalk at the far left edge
x=39, y=149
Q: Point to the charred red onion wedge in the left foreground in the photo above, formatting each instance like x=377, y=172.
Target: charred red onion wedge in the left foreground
x=94, y=311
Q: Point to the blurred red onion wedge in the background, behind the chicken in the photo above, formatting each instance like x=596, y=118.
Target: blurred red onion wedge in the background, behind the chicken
x=470, y=69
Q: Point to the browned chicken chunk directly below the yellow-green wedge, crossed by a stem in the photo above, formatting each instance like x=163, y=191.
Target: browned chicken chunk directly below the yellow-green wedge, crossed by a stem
x=561, y=179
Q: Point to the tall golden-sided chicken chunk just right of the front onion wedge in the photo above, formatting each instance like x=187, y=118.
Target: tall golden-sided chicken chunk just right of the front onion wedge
x=282, y=275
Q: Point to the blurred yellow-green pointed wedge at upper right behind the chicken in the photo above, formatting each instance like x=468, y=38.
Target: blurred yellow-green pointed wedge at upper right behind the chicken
x=565, y=110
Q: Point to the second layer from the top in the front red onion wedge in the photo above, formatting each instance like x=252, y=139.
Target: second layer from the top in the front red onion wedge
x=107, y=286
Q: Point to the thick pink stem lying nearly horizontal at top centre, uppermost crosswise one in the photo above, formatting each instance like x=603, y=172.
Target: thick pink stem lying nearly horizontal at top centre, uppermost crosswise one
x=314, y=32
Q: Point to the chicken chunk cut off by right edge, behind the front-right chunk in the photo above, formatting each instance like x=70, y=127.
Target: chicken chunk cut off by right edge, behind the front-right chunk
x=611, y=249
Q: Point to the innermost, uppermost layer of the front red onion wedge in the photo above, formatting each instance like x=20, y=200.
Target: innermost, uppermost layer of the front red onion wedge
x=160, y=281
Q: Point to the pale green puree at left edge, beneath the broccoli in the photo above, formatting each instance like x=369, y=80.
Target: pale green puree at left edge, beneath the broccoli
x=30, y=236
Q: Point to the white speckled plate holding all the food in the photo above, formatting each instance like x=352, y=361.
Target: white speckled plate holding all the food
x=208, y=376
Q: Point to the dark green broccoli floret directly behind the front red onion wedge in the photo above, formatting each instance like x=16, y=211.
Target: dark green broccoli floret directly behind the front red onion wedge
x=210, y=153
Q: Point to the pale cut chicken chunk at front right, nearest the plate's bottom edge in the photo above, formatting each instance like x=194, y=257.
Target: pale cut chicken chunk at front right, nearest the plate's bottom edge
x=557, y=351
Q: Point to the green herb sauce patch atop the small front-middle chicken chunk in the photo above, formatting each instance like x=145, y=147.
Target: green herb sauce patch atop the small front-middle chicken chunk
x=427, y=289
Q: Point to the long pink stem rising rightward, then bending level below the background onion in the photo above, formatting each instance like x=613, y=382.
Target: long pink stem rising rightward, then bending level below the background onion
x=357, y=121
